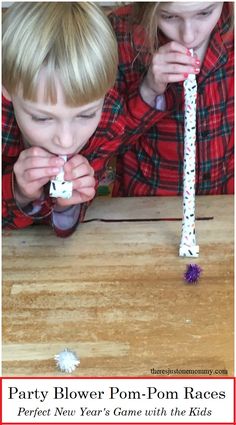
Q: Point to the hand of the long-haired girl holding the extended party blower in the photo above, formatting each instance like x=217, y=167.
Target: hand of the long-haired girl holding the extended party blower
x=171, y=63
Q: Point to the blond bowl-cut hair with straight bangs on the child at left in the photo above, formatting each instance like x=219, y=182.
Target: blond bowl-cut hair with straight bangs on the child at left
x=71, y=41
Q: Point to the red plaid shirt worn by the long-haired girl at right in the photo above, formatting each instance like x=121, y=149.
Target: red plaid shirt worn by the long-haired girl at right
x=154, y=165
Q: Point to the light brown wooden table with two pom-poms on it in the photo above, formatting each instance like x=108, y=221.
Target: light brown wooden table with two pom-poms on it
x=114, y=293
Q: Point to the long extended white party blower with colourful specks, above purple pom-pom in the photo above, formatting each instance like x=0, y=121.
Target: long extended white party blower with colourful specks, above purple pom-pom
x=188, y=247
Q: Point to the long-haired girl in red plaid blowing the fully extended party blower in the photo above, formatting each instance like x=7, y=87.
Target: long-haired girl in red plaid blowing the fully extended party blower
x=154, y=39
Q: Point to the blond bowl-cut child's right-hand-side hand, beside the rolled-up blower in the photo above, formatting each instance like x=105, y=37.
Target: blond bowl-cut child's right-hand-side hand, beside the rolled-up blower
x=78, y=170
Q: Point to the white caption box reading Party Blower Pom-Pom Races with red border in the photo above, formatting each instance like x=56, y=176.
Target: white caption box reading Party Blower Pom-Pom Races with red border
x=118, y=400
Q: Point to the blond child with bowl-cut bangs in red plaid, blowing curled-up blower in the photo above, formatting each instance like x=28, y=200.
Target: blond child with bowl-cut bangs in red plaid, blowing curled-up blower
x=59, y=60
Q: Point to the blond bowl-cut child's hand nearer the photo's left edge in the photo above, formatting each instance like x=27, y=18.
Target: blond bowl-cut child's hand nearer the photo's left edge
x=33, y=169
